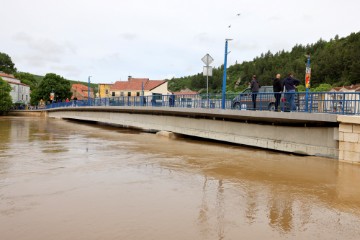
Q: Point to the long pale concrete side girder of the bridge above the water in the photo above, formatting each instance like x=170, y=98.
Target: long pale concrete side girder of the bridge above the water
x=318, y=141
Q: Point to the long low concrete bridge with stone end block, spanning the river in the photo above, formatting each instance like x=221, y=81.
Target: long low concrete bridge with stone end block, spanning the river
x=317, y=134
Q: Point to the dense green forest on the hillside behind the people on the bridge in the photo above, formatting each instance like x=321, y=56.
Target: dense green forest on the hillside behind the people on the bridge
x=333, y=63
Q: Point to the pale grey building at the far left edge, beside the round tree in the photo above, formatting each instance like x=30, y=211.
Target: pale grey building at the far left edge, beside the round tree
x=20, y=92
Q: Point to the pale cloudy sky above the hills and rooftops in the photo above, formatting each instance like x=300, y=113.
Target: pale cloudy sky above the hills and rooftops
x=110, y=40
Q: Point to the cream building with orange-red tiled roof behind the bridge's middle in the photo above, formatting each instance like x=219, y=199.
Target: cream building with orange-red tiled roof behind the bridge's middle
x=135, y=86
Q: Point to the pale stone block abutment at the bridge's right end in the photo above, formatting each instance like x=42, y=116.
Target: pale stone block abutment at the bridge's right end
x=349, y=138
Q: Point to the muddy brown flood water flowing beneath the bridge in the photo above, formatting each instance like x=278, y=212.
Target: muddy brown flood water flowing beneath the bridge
x=71, y=180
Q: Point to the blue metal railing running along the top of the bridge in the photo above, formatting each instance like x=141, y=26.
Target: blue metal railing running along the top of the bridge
x=317, y=102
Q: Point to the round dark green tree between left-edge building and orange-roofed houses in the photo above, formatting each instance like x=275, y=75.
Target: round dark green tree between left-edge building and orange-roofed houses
x=51, y=83
